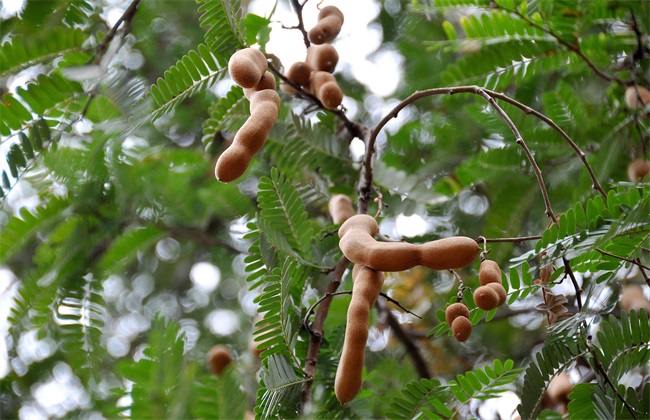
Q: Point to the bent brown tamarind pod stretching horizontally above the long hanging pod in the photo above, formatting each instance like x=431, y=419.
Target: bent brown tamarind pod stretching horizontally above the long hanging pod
x=359, y=246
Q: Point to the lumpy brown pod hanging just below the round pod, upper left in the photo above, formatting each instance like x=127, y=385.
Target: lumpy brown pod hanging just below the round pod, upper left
x=250, y=138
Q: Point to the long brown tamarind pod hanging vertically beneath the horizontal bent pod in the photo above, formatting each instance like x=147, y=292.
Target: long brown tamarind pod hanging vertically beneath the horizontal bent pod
x=366, y=289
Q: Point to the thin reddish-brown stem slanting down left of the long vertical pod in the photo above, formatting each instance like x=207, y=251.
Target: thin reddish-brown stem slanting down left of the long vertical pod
x=315, y=339
